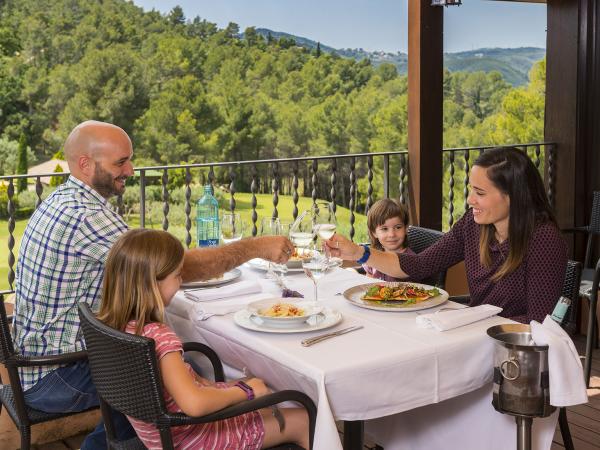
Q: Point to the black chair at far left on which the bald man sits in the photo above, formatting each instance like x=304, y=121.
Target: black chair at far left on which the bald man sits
x=11, y=395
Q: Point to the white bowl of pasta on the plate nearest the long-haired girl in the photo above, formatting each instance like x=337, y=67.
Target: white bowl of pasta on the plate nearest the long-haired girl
x=283, y=312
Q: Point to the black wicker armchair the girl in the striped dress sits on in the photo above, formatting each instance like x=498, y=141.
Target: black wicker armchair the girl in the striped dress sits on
x=126, y=374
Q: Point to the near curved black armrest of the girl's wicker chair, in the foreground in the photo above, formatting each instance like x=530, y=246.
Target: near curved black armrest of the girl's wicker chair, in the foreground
x=252, y=405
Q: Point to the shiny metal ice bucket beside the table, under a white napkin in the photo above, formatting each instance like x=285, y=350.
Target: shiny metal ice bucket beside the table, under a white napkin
x=521, y=385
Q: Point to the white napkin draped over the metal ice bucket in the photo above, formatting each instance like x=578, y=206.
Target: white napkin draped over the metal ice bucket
x=567, y=385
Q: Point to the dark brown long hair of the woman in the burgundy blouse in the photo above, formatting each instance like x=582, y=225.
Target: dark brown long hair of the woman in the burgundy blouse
x=515, y=175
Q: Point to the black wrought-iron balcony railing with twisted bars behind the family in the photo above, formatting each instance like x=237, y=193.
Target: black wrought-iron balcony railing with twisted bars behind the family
x=353, y=181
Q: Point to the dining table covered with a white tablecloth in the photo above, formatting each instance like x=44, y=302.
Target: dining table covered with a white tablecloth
x=406, y=386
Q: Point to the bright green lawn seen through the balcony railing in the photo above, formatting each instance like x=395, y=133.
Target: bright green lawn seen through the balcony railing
x=177, y=227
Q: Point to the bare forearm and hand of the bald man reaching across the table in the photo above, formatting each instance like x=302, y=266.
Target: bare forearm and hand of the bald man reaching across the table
x=209, y=262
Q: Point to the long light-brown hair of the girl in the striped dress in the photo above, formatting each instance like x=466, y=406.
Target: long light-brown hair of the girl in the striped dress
x=136, y=263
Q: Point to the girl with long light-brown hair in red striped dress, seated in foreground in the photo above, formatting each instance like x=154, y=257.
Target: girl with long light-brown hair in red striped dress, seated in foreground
x=143, y=273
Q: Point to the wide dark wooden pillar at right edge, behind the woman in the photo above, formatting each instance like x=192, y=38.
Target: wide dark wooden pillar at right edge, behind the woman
x=573, y=108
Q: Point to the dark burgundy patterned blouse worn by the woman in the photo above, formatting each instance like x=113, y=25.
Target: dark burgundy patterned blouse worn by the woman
x=528, y=293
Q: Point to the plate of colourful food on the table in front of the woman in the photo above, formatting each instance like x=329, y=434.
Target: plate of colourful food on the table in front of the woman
x=396, y=296
